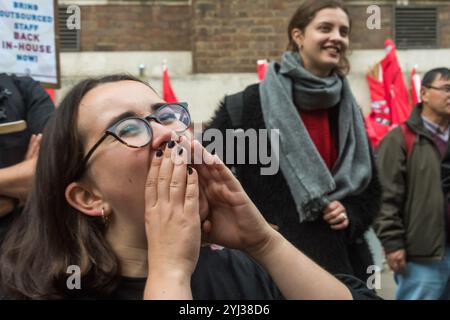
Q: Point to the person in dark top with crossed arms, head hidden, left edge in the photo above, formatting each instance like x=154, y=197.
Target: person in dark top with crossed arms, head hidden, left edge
x=21, y=99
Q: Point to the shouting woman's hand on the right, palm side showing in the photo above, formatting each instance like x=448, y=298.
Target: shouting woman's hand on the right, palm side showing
x=234, y=221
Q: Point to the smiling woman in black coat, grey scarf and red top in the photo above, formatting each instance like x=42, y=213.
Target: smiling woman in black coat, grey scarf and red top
x=327, y=193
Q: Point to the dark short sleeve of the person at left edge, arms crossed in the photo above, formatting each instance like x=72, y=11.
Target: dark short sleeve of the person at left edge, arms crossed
x=39, y=106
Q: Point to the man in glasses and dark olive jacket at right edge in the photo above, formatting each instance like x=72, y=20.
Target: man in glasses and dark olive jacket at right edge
x=413, y=224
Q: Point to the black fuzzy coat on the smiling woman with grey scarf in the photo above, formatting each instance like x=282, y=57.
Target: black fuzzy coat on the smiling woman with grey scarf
x=337, y=251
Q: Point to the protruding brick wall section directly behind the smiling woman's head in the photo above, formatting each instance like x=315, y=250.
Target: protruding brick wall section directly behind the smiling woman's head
x=232, y=35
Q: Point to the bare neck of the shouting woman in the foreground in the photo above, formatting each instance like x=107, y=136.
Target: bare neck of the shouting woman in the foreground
x=129, y=243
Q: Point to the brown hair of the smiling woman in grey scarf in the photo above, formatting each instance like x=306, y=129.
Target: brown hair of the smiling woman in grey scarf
x=306, y=13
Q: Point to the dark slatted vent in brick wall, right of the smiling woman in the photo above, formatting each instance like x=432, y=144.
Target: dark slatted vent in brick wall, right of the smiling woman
x=416, y=27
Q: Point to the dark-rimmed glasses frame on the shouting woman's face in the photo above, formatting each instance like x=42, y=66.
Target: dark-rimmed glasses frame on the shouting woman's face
x=146, y=120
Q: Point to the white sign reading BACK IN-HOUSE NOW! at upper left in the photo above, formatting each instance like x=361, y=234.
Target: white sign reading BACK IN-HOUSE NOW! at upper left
x=27, y=39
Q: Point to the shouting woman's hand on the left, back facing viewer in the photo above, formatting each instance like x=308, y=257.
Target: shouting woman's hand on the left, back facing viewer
x=172, y=224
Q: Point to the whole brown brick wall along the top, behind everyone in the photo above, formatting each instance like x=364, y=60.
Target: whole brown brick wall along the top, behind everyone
x=224, y=35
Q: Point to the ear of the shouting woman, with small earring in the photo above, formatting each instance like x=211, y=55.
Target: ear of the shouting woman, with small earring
x=85, y=200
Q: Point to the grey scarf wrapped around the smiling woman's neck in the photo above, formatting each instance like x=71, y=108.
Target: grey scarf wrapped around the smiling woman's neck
x=288, y=87
